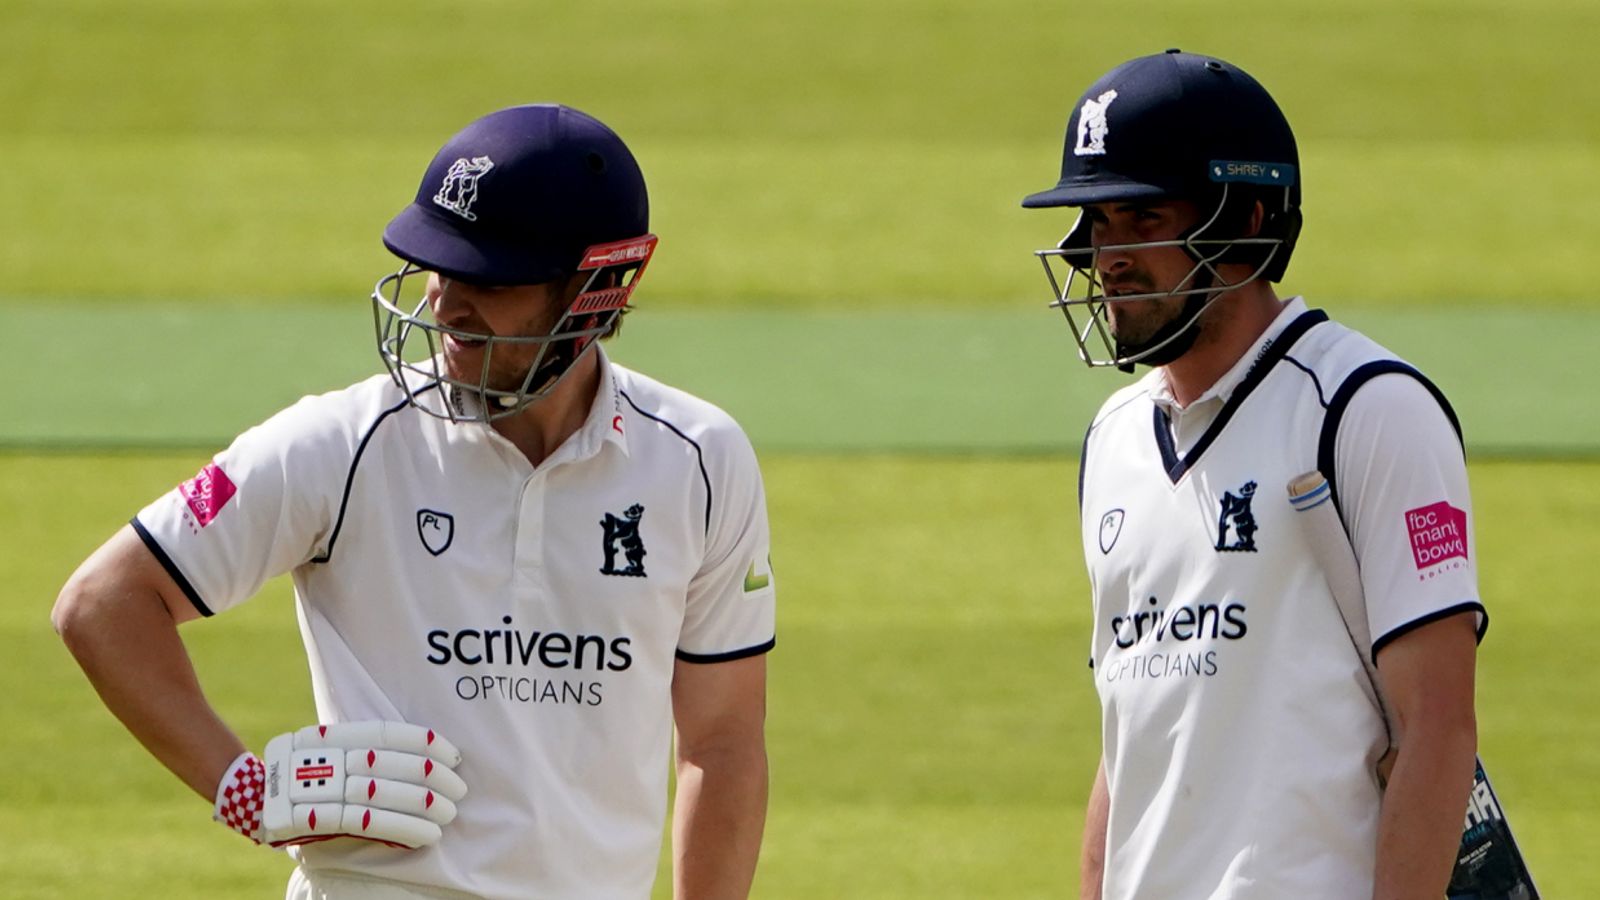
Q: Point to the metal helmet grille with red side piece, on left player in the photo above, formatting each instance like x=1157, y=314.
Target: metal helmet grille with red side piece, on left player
x=410, y=342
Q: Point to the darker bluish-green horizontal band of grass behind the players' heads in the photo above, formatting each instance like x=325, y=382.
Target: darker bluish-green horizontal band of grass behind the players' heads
x=90, y=377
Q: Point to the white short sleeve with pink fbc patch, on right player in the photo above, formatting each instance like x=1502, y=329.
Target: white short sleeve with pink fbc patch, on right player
x=1404, y=494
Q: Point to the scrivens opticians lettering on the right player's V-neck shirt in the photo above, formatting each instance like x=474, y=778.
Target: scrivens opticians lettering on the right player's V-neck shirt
x=1172, y=643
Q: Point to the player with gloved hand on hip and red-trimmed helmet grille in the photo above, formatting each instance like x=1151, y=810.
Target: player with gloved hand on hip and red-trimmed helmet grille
x=522, y=573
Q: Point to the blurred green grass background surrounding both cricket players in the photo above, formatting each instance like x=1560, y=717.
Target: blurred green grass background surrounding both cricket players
x=193, y=203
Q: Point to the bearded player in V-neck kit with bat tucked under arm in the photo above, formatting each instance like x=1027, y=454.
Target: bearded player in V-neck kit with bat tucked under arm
x=1244, y=749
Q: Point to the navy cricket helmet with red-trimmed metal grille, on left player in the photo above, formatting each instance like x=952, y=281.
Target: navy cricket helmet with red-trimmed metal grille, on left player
x=524, y=196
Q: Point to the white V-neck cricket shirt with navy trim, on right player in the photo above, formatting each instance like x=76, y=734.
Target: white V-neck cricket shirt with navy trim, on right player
x=1239, y=741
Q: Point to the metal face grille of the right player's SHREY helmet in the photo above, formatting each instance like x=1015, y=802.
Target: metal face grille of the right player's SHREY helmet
x=1082, y=299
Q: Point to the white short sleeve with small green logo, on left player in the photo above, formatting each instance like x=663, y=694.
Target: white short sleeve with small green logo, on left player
x=732, y=600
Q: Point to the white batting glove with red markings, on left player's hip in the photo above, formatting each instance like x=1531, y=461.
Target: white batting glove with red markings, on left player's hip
x=388, y=782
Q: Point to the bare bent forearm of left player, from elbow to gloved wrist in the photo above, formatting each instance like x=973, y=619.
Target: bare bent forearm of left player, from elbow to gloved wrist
x=130, y=651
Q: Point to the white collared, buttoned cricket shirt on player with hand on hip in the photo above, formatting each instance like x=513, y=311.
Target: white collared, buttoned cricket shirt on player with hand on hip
x=532, y=616
